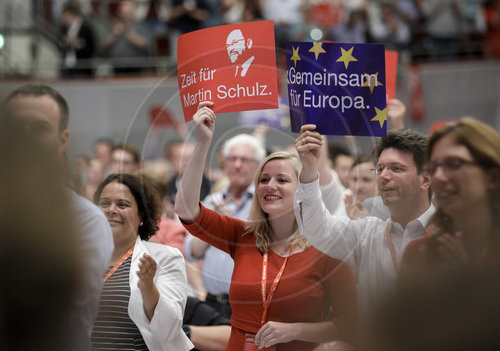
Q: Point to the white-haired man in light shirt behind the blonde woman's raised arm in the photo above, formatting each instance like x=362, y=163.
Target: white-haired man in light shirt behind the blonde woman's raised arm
x=242, y=154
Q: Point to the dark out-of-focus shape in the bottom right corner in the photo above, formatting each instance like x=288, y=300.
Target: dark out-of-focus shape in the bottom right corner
x=458, y=311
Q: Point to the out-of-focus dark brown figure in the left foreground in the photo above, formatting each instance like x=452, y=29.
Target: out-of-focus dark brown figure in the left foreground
x=43, y=266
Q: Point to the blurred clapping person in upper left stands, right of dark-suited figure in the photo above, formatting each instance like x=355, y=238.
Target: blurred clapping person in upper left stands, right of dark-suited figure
x=128, y=42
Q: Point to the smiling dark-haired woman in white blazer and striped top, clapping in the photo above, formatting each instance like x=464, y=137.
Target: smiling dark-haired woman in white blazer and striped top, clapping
x=145, y=289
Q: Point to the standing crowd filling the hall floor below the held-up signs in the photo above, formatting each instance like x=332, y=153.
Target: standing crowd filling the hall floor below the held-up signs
x=305, y=248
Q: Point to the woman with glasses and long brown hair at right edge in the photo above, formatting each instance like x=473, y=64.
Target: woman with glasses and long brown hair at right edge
x=464, y=166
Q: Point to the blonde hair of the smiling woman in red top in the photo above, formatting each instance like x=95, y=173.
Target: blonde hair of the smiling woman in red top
x=258, y=221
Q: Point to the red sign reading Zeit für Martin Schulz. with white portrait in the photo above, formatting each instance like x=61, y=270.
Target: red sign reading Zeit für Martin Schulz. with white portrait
x=234, y=66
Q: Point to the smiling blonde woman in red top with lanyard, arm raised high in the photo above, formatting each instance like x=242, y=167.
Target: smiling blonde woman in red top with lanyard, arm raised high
x=284, y=293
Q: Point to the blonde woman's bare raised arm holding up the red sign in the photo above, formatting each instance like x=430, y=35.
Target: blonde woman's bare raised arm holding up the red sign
x=187, y=200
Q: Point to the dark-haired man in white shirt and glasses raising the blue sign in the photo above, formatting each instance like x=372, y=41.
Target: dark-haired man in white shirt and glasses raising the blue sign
x=371, y=246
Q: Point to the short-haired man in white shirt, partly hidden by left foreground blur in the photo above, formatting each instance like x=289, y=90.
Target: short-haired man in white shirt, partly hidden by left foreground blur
x=44, y=115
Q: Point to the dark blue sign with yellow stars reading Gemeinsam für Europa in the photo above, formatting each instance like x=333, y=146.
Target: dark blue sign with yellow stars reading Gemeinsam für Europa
x=339, y=87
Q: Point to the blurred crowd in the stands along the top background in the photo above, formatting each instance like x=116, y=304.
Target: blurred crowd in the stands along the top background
x=130, y=32
